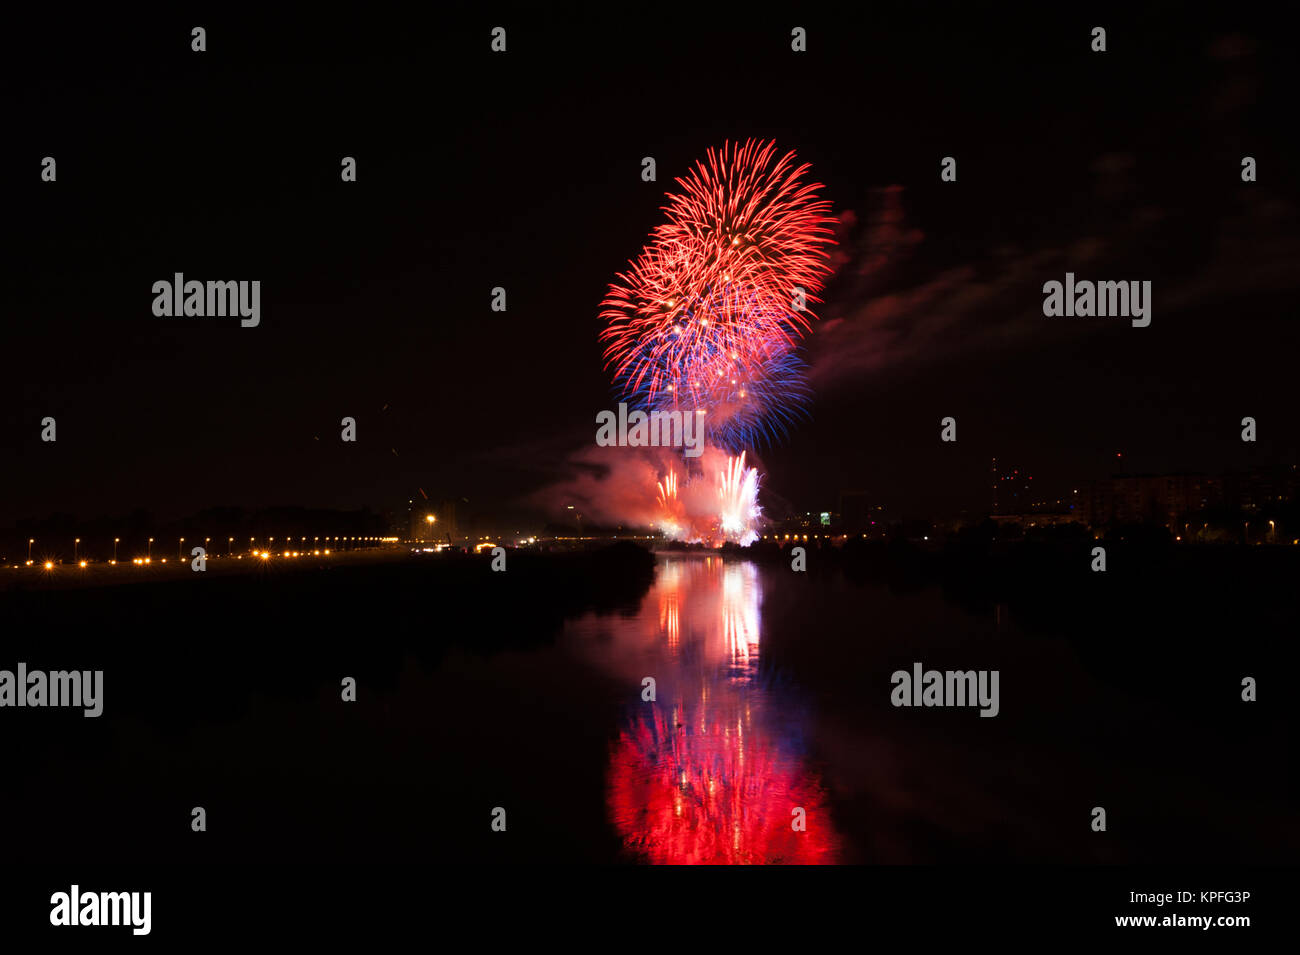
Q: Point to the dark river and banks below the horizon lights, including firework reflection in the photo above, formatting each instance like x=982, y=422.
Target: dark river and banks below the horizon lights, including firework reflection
x=772, y=737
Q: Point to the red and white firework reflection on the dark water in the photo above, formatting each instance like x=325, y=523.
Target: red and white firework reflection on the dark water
x=713, y=771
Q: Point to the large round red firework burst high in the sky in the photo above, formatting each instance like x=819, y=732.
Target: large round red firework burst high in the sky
x=713, y=294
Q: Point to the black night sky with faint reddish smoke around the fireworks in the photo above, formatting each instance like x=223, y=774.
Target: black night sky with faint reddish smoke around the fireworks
x=525, y=171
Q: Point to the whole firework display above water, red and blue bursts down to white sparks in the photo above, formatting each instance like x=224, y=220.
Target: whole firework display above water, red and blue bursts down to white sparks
x=710, y=315
